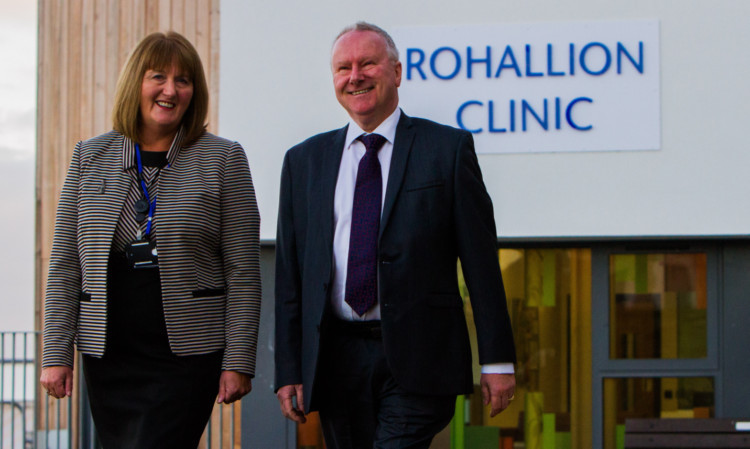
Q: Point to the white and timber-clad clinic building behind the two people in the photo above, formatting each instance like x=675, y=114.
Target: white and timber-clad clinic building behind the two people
x=611, y=141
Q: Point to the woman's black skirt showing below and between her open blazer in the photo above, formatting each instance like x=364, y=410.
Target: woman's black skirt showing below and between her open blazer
x=143, y=396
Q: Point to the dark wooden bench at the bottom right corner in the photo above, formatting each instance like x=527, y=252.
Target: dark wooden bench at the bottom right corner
x=687, y=433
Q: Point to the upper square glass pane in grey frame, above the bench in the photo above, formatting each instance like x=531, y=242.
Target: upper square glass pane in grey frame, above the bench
x=658, y=306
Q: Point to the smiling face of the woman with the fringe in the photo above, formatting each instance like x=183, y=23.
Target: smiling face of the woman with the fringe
x=165, y=96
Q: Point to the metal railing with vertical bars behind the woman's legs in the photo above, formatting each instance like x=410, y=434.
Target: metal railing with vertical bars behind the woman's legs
x=31, y=420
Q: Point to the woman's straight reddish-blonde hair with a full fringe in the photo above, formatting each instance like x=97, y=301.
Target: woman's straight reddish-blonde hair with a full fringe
x=159, y=51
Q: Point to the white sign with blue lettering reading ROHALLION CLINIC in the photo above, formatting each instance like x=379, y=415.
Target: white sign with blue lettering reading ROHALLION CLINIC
x=544, y=87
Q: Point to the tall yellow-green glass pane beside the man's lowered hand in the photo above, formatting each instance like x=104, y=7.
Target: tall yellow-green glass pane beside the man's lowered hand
x=549, y=300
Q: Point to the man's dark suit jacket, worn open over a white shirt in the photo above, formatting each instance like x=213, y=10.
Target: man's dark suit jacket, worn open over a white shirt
x=436, y=210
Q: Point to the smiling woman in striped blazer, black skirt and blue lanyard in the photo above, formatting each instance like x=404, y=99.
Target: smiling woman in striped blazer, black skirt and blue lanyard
x=154, y=272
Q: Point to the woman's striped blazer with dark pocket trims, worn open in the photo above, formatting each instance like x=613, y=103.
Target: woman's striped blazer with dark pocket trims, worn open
x=207, y=227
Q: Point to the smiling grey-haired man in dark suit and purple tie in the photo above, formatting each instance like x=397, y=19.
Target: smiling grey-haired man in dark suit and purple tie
x=370, y=328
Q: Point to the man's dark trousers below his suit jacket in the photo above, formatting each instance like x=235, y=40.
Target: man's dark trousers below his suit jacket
x=361, y=405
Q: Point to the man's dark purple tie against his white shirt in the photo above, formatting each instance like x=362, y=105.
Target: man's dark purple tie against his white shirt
x=362, y=268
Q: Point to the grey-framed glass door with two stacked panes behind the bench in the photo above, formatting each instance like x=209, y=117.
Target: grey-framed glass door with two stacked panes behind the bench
x=654, y=312
